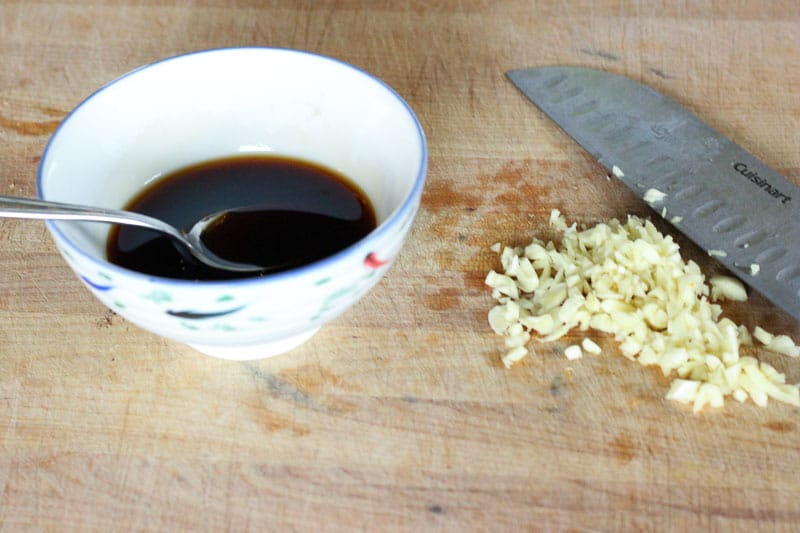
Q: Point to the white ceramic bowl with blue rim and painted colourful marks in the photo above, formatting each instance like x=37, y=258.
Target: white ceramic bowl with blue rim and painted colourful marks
x=218, y=103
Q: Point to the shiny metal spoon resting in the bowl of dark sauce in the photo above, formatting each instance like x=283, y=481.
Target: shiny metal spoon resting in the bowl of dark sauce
x=16, y=207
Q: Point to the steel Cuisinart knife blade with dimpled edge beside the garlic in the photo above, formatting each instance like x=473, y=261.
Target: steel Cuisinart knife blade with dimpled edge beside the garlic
x=723, y=198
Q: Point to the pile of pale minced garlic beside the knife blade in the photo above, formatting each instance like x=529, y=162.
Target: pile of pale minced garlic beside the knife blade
x=628, y=280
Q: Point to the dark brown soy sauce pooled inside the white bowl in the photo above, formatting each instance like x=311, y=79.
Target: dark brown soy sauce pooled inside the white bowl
x=295, y=213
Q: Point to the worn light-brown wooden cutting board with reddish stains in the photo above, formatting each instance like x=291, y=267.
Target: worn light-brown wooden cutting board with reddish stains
x=399, y=415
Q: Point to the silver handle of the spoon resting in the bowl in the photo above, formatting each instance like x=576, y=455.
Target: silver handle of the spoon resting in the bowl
x=16, y=207
